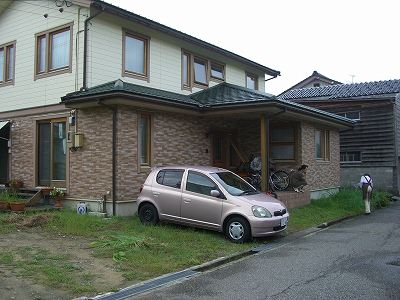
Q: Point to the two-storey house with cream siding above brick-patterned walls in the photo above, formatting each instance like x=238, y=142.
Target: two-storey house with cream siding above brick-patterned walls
x=136, y=94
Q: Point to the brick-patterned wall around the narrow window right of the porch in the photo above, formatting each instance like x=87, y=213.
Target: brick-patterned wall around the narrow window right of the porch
x=320, y=174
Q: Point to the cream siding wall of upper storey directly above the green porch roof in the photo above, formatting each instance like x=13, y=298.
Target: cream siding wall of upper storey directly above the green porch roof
x=105, y=57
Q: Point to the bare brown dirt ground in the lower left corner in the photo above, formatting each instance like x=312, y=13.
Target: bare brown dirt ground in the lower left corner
x=15, y=286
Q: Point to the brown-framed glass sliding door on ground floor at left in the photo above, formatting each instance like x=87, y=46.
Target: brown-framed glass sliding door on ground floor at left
x=52, y=153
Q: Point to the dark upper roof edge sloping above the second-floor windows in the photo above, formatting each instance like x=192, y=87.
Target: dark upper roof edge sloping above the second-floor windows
x=112, y=9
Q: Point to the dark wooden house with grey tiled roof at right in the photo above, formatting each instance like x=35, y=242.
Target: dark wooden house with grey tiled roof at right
x=372, y=146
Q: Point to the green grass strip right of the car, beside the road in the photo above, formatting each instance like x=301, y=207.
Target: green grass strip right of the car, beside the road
x=347, y=202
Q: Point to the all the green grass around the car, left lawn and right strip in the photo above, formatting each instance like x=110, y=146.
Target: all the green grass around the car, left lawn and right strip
x=141, y=252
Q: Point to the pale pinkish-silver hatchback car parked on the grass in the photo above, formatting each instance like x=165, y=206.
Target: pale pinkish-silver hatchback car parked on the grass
x=211, y=198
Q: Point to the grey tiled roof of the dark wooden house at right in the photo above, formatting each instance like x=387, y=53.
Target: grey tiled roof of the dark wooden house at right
x=344, y=91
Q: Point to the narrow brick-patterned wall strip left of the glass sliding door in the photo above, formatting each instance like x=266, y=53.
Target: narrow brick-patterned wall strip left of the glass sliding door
x=23, y=151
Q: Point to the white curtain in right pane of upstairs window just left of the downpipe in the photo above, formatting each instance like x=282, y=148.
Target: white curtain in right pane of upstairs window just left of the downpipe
x=60, y=46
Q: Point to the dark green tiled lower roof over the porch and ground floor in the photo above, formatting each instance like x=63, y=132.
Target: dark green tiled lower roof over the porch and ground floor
x=223, y=96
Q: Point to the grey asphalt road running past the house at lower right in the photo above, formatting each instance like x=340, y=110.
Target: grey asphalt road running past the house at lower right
x=355, y=259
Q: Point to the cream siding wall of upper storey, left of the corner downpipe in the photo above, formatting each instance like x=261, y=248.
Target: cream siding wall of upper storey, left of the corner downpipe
x=20, y=22
